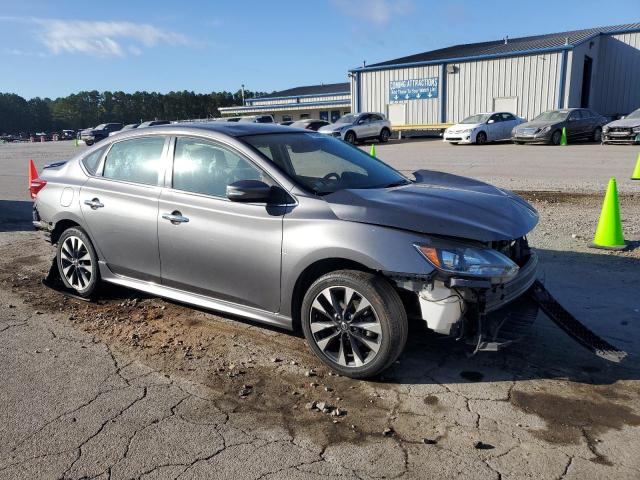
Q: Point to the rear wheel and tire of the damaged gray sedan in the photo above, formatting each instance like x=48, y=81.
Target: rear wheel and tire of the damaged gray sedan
x=77, y=262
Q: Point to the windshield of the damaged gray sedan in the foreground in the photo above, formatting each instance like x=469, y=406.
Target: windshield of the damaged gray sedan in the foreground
x=323, y=164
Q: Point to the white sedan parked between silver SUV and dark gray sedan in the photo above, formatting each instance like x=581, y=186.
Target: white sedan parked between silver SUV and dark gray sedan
x=482, y=128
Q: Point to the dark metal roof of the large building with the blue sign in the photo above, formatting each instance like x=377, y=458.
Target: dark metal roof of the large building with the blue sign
x=512, y=46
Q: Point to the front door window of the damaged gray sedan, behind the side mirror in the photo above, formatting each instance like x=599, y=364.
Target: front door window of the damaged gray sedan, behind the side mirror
x=200, y=166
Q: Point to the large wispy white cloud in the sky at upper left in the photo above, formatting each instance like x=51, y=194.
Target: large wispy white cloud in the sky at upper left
x=99, y=38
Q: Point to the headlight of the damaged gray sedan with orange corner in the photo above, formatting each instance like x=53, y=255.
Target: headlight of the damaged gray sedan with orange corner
x=470, y=261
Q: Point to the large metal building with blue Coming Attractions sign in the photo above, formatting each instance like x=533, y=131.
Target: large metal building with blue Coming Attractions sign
x=597, y=68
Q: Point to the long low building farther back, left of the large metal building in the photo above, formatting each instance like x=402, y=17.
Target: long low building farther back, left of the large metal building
x=325, y=102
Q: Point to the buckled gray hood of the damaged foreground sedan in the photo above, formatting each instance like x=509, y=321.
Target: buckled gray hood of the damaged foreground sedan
x=439, y=203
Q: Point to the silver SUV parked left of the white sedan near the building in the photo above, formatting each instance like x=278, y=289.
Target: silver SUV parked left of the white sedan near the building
x=355, y=127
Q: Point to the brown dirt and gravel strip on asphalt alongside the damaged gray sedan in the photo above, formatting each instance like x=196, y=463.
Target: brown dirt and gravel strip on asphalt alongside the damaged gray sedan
x=249, y=368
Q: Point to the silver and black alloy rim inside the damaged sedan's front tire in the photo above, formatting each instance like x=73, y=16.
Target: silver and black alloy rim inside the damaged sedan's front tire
x=345, y=326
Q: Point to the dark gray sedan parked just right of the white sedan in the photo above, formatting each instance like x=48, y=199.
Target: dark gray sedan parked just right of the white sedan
x=581, y=124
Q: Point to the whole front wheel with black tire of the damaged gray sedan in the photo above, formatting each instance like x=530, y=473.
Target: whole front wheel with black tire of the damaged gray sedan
x=354, y=322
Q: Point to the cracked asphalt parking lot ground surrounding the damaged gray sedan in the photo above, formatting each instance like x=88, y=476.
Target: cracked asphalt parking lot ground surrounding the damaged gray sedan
x=137, y=387
